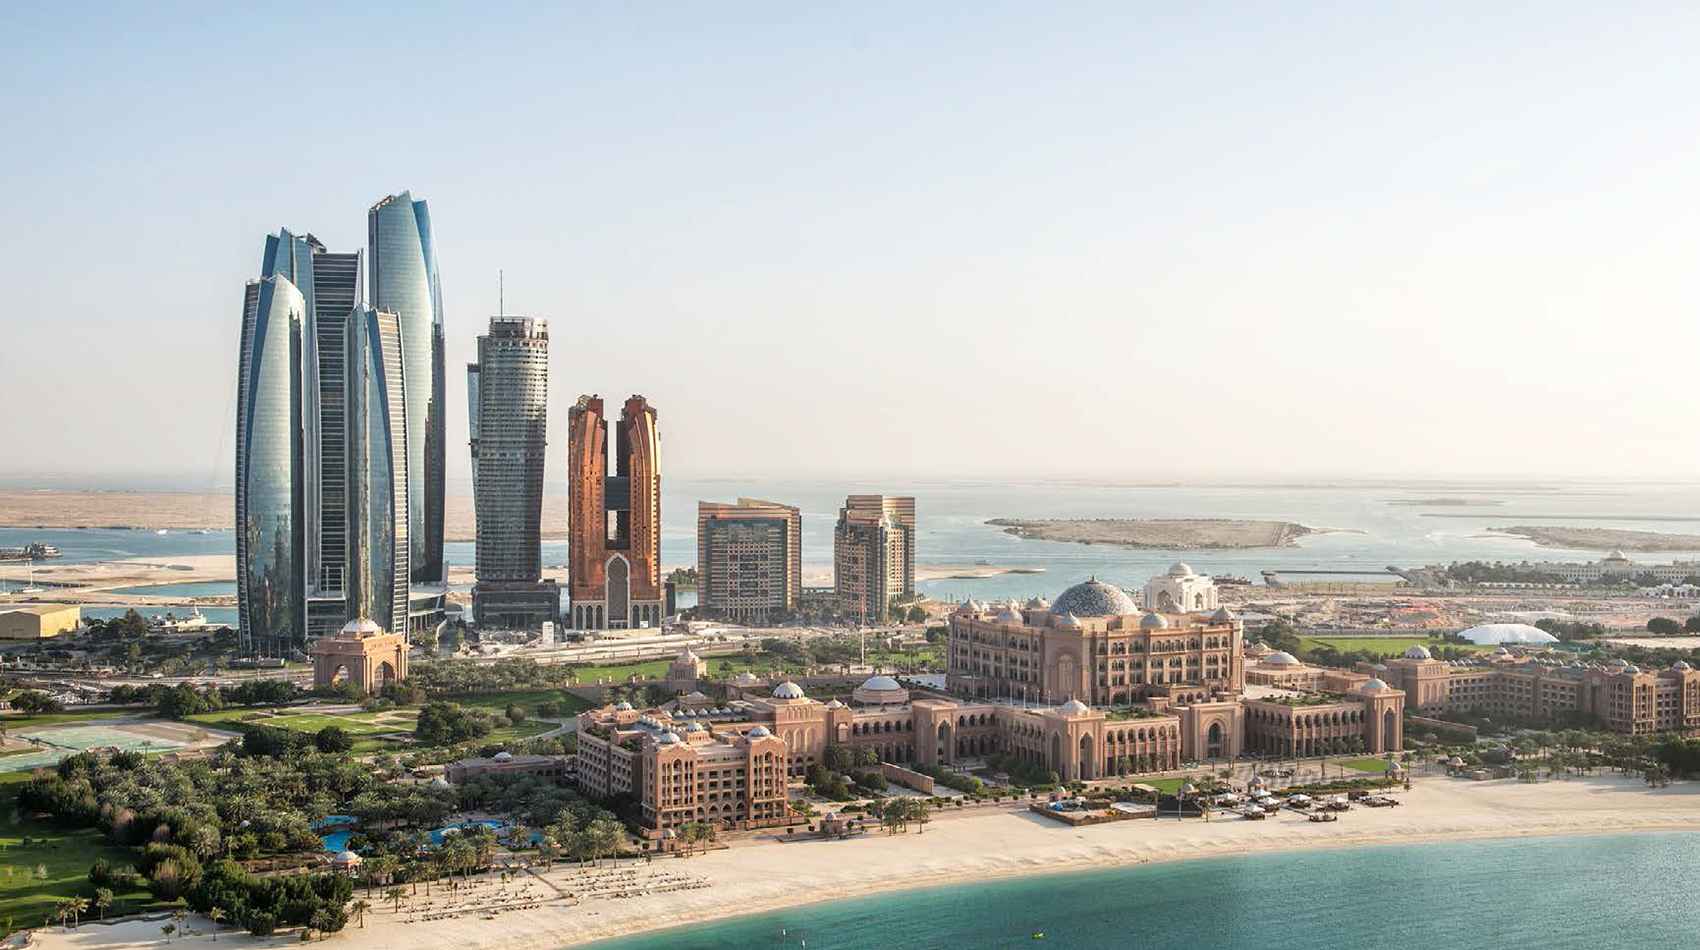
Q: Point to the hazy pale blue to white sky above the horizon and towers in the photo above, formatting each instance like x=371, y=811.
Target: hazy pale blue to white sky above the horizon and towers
x=1089, y=240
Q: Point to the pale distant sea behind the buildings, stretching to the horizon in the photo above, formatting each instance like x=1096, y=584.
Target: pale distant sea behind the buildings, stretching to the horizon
x=1363, y=526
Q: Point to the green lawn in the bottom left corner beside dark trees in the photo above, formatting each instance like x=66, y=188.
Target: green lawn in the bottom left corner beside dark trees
x=25, y=898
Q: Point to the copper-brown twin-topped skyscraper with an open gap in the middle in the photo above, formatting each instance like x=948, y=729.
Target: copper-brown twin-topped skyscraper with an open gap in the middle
x=615, y=565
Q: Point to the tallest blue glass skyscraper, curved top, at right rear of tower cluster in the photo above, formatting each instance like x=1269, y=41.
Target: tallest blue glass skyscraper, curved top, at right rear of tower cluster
x=404, y=281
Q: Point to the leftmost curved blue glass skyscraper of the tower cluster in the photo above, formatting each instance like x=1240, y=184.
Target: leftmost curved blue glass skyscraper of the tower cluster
x=271, y=584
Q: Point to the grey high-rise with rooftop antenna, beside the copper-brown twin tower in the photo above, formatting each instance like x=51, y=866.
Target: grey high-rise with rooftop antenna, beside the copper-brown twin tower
x=507, y=410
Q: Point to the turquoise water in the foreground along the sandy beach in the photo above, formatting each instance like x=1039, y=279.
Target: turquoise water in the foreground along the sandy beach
x=1592, y=893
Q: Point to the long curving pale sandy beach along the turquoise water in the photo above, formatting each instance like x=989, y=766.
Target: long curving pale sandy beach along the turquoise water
x=754, y=878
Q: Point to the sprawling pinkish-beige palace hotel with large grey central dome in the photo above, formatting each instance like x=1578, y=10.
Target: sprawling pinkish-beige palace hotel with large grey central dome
x=1089, y=687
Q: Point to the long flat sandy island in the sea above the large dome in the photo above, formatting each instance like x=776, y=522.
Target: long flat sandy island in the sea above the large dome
x=1167, y=534
